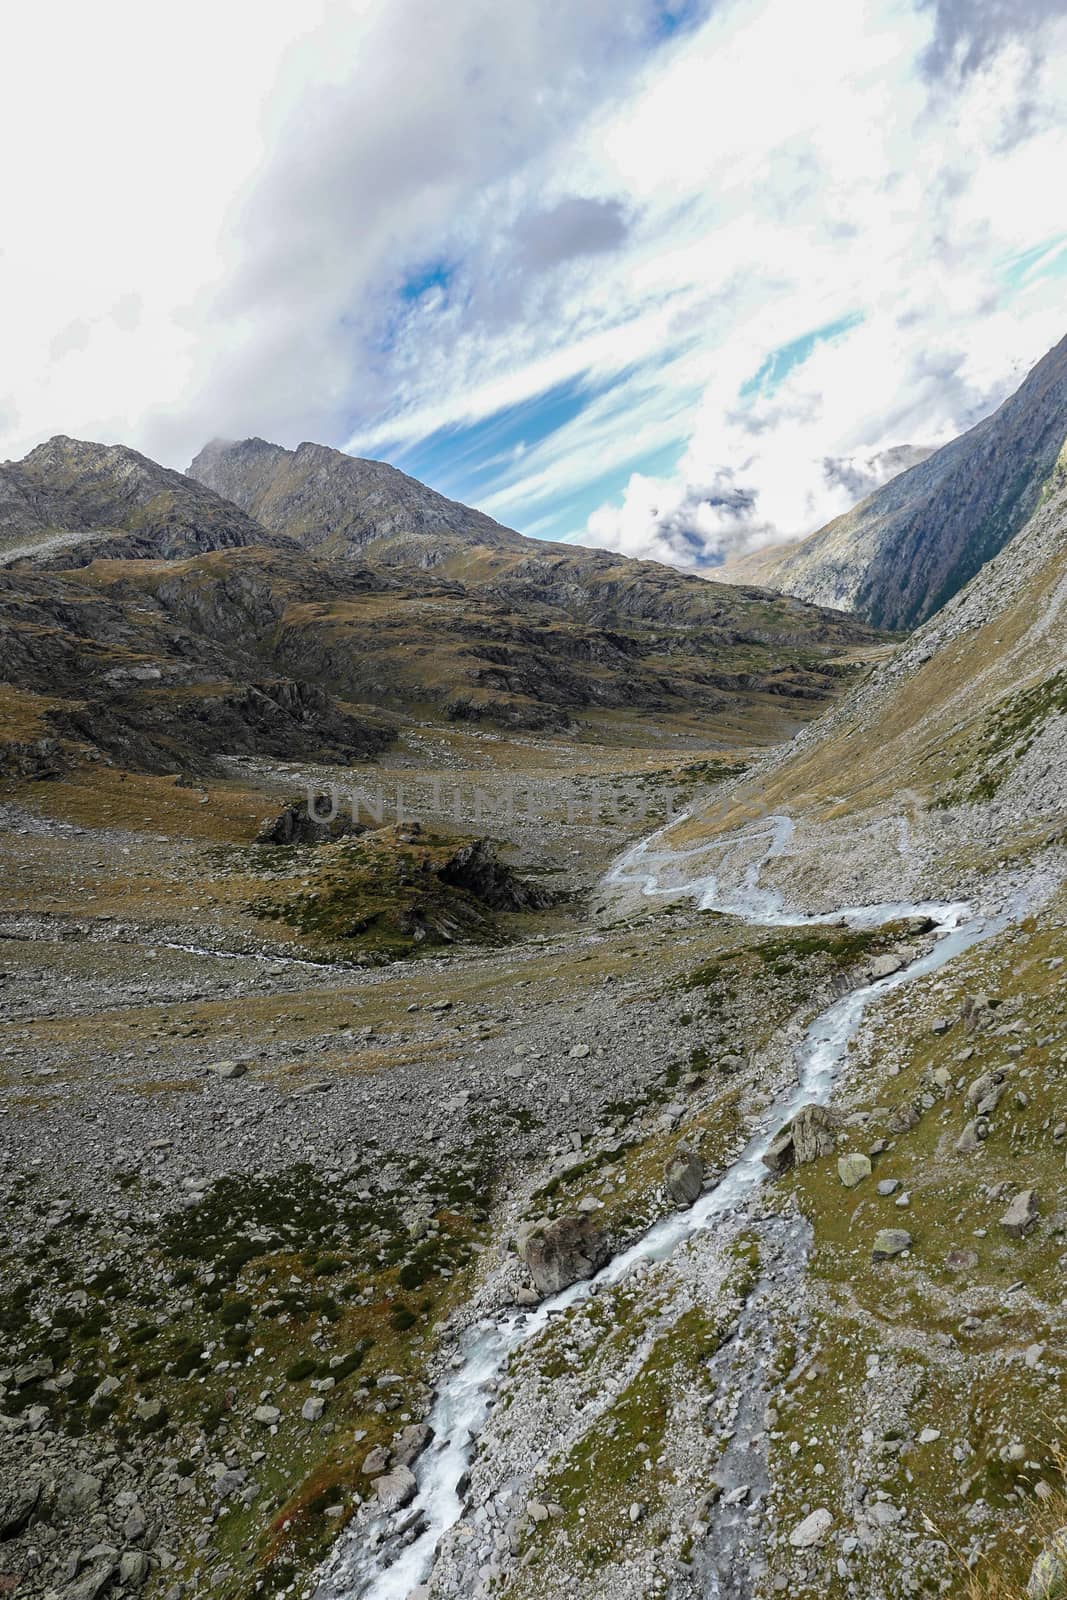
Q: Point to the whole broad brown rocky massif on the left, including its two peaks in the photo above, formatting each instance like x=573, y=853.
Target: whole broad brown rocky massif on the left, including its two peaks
x=169, y=628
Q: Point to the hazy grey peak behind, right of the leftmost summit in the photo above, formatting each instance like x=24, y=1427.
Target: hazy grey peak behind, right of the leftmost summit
x=338, y=505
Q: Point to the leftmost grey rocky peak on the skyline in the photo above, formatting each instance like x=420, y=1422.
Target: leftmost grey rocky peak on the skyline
x=74, y=497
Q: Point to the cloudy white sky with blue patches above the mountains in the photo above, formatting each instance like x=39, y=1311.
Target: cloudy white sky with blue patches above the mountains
x=671, y=278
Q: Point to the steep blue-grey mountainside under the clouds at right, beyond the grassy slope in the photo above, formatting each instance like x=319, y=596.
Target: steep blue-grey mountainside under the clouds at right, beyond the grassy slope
x=906, y=550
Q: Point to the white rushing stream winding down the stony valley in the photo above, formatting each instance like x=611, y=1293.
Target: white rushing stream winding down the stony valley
x=369, y=1566
